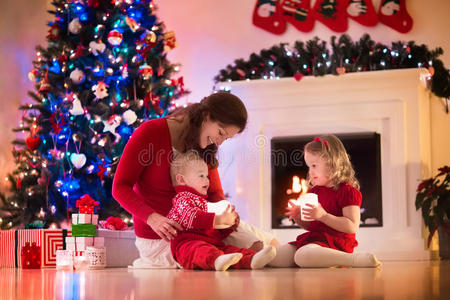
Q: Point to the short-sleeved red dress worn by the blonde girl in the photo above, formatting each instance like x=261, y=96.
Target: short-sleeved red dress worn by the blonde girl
x=332, y=202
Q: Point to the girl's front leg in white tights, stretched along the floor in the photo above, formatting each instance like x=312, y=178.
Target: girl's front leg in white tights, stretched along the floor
x=315, y=256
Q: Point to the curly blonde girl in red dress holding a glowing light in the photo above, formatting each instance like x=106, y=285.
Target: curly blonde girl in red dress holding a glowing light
x=330, y=239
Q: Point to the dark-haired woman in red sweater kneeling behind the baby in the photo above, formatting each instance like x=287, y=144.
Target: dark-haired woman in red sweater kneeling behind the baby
x=142, y=182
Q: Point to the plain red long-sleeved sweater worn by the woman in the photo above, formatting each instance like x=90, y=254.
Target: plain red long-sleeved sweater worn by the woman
x=142, y=182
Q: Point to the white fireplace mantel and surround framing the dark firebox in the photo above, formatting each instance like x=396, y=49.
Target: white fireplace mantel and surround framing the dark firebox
x=394, y=104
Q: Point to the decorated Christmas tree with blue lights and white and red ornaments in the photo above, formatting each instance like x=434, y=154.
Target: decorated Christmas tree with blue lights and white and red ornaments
x=103, y=73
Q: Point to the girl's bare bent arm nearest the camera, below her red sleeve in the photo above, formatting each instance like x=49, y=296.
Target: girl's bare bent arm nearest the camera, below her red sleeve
x=348, y=223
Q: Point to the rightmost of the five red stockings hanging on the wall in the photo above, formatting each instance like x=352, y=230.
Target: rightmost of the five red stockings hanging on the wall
x=393, y=13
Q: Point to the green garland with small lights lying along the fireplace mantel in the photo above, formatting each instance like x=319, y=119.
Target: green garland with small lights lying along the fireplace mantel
x=314, y=57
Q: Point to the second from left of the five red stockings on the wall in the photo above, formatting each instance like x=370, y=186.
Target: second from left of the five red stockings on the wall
x=297, y=13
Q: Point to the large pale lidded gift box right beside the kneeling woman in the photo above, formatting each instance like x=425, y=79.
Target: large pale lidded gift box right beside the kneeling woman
x=120, y=247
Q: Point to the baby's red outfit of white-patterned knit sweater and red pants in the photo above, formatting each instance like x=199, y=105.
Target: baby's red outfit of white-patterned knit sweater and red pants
x=199, y=244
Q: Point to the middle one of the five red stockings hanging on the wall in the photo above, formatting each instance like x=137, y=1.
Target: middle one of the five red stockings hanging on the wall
x=332, y=13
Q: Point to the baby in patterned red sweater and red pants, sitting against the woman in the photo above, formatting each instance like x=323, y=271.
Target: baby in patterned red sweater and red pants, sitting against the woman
x=200, y=245
